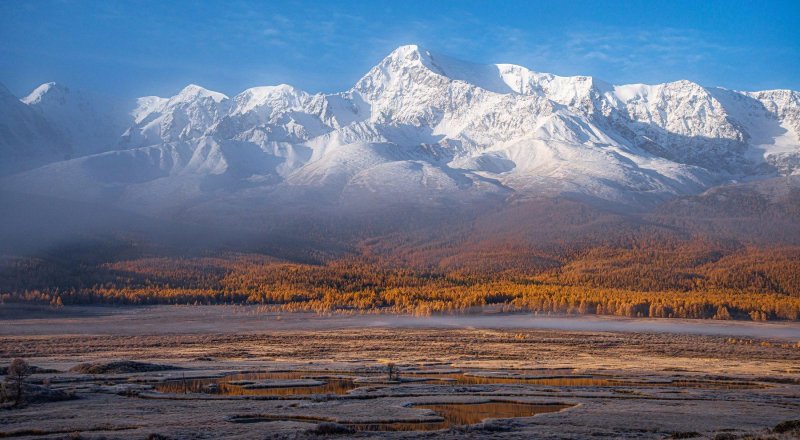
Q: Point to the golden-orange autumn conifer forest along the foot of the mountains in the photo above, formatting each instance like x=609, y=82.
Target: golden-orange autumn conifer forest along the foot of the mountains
x=687, y=280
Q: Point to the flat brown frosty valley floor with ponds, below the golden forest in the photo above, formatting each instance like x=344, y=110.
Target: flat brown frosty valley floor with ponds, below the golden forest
x=614, y=378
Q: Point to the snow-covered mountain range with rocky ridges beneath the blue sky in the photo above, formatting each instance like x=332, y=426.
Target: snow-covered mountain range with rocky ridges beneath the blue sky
x=419, y=127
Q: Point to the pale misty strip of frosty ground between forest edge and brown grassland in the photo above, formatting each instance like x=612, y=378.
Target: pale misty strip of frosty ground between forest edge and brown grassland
x=35, y=320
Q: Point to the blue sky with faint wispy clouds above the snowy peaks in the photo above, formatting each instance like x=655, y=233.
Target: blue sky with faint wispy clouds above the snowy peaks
x=155, y=47
